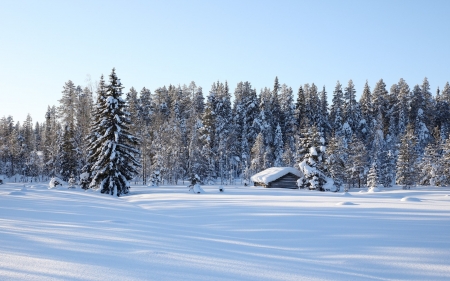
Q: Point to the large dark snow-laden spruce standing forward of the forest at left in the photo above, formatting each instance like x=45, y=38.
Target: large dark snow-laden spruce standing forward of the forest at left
x=114, y=151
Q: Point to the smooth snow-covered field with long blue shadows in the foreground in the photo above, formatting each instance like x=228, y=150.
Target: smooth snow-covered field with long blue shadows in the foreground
x=245, y=233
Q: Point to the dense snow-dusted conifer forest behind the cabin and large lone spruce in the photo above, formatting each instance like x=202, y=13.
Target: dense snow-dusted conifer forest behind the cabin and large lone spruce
x=388, y=136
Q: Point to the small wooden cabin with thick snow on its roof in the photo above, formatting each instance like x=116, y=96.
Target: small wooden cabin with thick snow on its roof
x=277, y=177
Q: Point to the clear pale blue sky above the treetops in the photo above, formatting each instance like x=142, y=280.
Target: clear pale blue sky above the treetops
x=155, y=43
